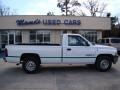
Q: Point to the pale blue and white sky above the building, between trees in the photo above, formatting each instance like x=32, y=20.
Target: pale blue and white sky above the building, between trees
x=42, y=7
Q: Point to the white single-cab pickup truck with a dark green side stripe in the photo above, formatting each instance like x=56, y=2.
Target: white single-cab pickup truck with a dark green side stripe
x=74, y=49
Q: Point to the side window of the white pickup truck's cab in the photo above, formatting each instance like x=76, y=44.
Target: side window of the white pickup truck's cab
x=76, y=41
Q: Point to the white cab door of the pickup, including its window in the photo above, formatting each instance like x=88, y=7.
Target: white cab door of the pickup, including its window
x=78, y=50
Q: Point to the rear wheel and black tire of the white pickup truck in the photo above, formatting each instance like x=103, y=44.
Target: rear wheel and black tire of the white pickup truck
x=30, y=65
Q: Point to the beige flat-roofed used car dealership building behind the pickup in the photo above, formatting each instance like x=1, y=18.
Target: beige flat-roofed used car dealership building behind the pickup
x=48, y=29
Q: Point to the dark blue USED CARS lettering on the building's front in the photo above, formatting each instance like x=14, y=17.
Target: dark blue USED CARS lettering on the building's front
x=22, y=22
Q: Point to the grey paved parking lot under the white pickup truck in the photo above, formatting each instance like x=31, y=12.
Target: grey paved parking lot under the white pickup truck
x=62, y=77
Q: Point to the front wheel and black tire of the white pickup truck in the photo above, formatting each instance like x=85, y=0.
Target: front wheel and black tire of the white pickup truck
x=103, y=63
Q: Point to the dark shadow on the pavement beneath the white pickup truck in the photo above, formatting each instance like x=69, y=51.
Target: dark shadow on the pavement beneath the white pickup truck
x=56, y=69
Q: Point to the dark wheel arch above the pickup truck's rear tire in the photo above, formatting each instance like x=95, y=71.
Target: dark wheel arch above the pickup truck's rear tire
x=28, y=55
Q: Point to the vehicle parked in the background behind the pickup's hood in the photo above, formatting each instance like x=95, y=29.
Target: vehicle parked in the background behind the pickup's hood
x=114, y=42
